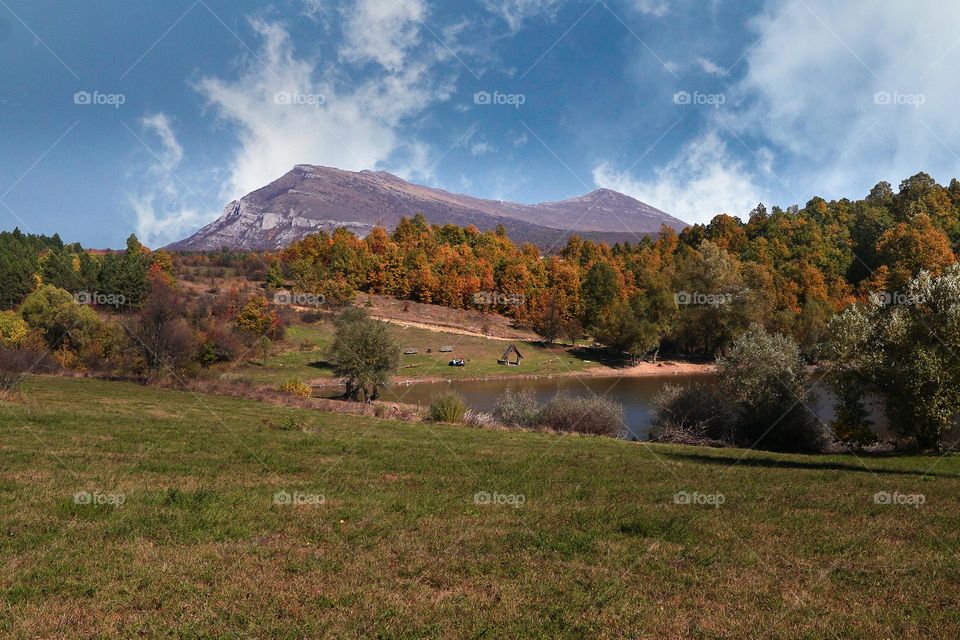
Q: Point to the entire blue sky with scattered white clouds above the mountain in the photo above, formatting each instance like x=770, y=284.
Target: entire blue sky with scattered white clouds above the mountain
x=149, y=116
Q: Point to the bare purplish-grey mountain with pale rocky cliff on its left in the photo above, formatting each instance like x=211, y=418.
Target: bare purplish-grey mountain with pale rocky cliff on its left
x=309, y=198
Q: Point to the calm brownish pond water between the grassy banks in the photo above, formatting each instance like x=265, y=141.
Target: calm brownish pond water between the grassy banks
x=635, y=394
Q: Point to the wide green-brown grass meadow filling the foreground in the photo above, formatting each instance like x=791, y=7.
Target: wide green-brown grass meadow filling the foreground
x=583, y=539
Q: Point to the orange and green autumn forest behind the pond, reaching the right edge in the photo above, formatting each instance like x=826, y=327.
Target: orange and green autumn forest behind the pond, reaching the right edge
x=787, y=270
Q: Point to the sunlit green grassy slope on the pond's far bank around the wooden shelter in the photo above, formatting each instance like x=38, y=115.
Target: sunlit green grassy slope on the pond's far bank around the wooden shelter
x=302, y=357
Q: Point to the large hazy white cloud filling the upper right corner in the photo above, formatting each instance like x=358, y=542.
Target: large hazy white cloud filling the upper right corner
x=813, y=82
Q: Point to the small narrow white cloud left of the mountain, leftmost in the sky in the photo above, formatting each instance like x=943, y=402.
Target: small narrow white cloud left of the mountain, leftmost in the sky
x=165, y=208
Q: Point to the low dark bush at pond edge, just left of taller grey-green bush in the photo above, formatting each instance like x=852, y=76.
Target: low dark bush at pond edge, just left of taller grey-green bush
x=694, y=413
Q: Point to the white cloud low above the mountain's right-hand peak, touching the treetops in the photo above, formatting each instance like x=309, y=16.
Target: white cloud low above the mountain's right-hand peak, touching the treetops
x=702, y=181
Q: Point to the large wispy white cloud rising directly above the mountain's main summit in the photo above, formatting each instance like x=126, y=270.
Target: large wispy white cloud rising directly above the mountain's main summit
x=286, y=114
